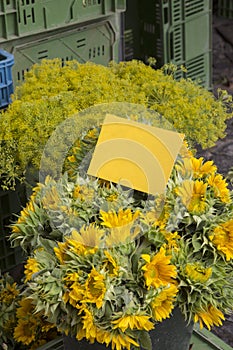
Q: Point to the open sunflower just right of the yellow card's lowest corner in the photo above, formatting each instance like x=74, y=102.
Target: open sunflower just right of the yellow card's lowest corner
x=193, y=195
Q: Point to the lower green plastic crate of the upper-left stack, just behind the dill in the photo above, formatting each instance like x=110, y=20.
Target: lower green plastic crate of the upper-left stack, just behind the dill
x=98, y=42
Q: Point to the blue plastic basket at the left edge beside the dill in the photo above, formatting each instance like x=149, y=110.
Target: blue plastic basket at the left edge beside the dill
x=6, y=83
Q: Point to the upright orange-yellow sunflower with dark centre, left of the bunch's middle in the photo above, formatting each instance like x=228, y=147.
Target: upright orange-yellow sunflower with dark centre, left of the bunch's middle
x=95, y=288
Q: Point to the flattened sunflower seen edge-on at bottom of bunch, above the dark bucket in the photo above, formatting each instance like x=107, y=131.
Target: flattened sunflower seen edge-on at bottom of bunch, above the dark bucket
x=139, y=322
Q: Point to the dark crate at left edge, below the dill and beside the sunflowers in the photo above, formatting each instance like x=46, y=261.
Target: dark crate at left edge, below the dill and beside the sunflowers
x=10, y=204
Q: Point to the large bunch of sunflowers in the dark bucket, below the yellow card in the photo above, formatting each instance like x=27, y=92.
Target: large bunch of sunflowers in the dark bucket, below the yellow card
x=108, y=266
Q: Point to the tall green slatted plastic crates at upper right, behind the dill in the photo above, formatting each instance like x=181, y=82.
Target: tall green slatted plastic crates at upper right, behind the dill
x=177, y=31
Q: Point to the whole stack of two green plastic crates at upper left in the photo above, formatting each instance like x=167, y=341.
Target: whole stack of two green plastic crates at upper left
x=86, y=30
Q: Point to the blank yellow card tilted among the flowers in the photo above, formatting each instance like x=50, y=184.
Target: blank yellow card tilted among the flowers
x=135, y=155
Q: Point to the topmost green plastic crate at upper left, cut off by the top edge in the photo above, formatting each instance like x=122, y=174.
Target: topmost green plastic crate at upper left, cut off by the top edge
x=26, y=17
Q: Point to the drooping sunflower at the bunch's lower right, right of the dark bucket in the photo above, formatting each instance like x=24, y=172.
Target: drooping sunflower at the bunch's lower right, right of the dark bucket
x=210, y=317
